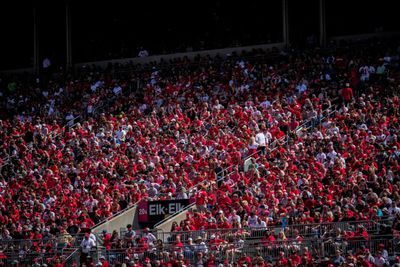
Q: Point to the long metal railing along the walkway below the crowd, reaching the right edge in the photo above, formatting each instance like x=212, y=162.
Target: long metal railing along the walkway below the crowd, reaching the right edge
x=233, y=251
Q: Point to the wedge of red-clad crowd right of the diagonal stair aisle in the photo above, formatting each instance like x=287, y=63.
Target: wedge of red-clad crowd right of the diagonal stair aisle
x=347, y=169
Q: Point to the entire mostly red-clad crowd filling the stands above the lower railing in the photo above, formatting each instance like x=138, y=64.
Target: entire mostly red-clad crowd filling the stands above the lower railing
x=195, y=123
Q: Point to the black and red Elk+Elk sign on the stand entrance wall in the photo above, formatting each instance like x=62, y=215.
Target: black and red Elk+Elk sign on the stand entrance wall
x=155, y=211
